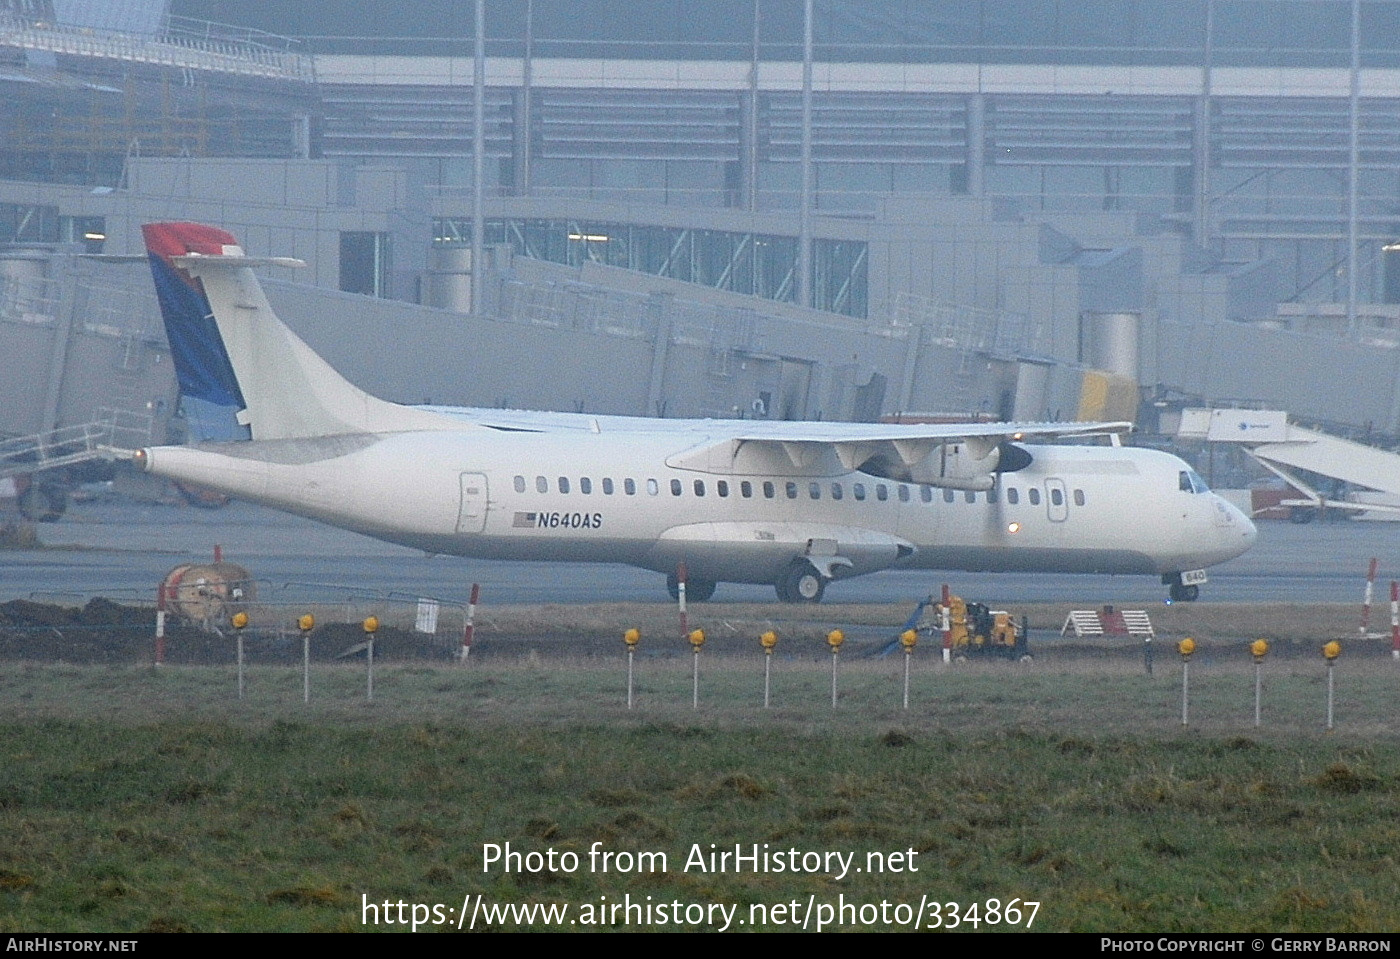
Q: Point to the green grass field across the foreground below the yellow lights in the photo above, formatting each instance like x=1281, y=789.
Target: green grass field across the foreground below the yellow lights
x=155, y=800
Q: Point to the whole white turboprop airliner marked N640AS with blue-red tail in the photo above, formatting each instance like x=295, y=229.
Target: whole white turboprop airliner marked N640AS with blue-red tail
x=793, y=505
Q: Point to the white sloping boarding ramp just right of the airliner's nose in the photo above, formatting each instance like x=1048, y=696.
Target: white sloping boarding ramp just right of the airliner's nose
x=1283, y=449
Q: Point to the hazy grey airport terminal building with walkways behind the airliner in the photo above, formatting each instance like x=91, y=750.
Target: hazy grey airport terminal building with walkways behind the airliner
x=988, y=208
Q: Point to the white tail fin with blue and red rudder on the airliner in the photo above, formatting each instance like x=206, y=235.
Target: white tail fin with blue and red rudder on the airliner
x=232, y=351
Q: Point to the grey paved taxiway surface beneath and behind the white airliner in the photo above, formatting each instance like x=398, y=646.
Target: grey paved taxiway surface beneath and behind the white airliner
x=122, y=551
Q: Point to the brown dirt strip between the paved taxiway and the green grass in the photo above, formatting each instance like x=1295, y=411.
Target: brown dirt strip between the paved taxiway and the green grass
x=108, y=632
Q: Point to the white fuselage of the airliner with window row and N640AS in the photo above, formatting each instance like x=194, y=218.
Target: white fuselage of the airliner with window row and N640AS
x=621, y=498
